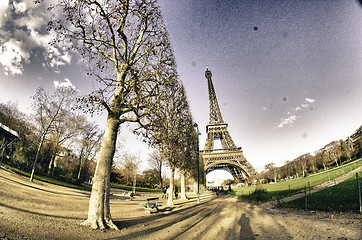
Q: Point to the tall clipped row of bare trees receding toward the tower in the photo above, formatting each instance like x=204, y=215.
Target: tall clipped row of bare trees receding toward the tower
x=127, y=48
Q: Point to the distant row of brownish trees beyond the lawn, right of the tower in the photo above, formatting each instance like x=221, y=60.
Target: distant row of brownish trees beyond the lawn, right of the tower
x=333, y=154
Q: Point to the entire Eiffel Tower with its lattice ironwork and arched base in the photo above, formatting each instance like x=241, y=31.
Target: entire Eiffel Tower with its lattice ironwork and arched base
x=230, y=157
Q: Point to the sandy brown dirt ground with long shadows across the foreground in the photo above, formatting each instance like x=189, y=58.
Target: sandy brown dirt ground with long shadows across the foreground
x=44, y=211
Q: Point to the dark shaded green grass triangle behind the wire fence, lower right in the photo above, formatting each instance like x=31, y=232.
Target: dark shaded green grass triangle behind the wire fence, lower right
x=338, y=198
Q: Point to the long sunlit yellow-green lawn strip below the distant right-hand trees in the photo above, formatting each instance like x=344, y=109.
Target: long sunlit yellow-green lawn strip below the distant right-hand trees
x=286, y=188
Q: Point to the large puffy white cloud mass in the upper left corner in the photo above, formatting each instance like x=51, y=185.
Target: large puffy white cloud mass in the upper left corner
x=27, y=33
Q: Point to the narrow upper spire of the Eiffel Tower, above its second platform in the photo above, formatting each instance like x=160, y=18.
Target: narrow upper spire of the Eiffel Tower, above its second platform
x=214, y=111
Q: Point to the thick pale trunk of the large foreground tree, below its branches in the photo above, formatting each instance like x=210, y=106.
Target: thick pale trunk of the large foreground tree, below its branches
x=99, y=212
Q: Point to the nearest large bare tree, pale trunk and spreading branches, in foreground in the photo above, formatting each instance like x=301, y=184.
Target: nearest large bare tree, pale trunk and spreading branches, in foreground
x=126, y=45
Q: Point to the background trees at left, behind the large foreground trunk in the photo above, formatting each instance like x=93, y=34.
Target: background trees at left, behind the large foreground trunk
x=70, y=147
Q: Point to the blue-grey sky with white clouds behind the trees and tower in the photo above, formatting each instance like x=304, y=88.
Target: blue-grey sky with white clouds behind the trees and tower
x=287, y=74
